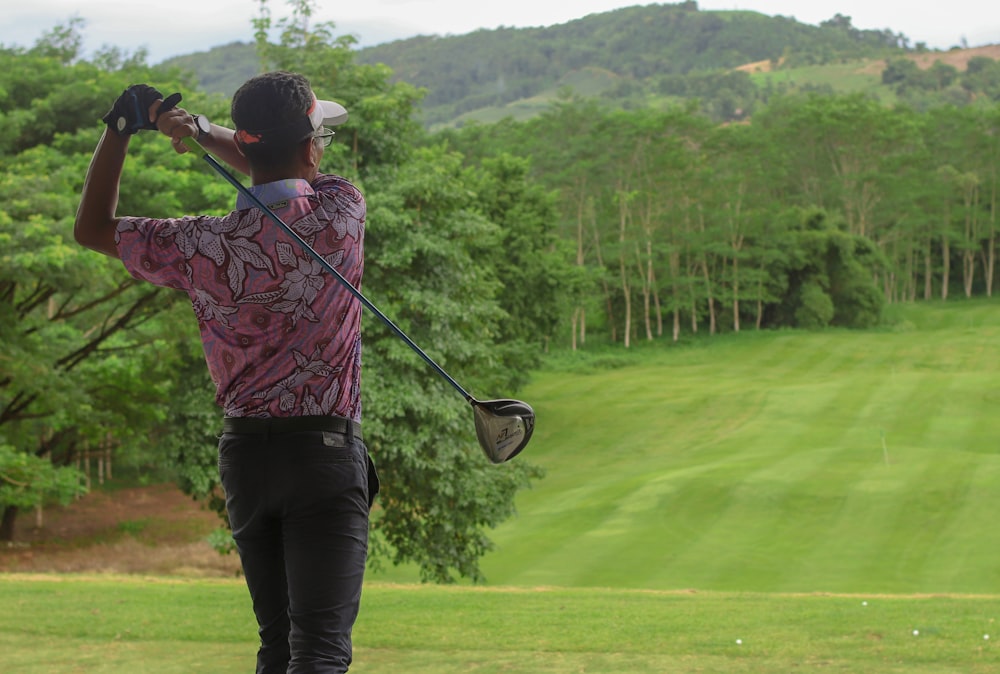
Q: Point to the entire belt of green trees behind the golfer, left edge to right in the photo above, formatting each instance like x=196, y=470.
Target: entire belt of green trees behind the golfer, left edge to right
x=489, y=245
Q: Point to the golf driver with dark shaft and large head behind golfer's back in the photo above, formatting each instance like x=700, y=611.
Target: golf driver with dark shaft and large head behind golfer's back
x=503, y=426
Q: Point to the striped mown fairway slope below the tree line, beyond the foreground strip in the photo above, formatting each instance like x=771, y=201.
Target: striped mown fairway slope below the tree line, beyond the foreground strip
x=756, y=463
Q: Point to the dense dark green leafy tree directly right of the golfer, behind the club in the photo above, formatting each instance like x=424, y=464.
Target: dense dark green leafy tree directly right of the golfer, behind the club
x=431, y=267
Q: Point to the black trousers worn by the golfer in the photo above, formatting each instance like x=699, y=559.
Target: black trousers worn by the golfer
x=298, y=503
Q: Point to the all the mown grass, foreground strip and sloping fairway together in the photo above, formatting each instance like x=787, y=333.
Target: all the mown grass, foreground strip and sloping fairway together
x=753, y=486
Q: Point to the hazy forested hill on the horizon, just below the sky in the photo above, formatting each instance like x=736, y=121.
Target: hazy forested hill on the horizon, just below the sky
x=626, y=56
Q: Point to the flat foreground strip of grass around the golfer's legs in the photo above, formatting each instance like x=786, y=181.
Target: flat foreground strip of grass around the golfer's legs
x=136, y=625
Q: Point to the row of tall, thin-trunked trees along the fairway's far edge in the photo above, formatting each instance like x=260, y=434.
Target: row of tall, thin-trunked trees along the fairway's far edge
x=817, y=212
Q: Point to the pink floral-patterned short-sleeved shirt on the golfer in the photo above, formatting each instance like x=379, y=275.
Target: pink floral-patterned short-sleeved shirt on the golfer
x=281, y=336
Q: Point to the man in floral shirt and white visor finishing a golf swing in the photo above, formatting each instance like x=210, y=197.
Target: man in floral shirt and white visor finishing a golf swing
x=282, y=343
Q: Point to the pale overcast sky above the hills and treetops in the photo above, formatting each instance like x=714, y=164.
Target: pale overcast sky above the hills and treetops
x=187, y=26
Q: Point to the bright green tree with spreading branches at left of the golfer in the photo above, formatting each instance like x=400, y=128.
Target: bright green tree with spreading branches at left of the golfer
x=87, y=355
